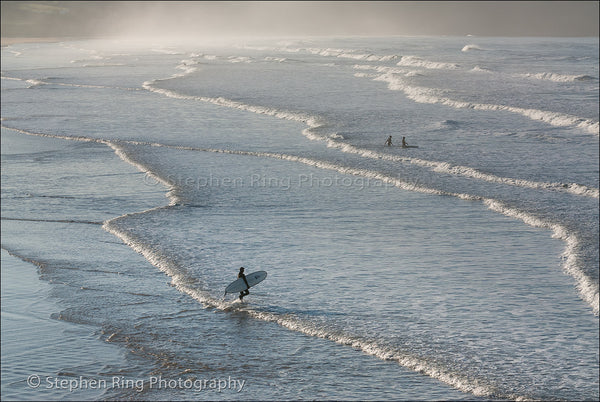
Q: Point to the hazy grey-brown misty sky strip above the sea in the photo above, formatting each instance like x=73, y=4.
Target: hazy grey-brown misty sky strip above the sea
x=213, y=19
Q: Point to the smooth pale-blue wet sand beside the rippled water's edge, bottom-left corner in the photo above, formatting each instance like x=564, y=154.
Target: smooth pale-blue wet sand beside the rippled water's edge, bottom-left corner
x=40, y=353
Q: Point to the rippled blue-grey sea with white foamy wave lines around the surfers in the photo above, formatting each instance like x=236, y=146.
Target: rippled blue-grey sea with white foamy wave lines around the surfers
x=138, y=177
